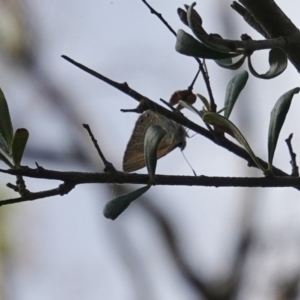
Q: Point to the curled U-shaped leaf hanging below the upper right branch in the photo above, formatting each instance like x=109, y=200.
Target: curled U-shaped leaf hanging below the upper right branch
x=277, y=61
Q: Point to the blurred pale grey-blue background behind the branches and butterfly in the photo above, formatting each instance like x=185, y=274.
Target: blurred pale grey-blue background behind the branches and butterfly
x=175, y=242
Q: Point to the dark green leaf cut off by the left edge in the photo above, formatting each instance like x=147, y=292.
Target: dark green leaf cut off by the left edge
x=6, y=129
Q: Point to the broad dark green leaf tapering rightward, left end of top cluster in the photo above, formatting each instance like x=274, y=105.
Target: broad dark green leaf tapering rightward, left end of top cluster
x=188, y=45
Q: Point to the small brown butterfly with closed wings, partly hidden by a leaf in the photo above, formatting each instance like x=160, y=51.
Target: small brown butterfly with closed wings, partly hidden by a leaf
x=134, y=154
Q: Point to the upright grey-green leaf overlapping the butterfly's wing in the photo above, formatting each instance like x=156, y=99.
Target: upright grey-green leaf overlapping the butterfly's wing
x=152, y=139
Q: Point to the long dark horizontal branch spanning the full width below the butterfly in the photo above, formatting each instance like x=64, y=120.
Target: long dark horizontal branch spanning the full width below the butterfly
x=74, y=178
